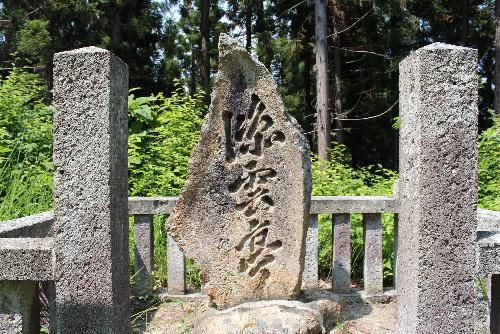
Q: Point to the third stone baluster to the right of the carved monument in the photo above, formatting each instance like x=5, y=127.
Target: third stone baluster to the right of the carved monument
x=373, y=275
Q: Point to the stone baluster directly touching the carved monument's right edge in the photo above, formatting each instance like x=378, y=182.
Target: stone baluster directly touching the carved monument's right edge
x=310, y=275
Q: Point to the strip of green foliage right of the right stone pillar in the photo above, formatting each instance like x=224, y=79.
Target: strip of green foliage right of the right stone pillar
x=489, y=167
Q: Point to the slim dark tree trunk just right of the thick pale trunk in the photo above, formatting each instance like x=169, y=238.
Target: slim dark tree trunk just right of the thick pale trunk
x=339, y=127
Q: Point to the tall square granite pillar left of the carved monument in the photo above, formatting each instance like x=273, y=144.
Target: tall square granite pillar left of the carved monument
x=90, y=192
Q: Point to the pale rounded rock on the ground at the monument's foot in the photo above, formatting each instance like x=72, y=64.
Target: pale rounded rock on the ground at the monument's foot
x=273, y=317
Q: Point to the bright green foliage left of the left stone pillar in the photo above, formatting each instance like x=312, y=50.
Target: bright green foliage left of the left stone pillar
x=25, y=146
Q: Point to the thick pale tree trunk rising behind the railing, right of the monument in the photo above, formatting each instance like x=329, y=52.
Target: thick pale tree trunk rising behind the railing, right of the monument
x=323, y=119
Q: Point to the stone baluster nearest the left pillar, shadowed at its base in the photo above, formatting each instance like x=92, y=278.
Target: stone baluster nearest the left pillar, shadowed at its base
x=144, y=253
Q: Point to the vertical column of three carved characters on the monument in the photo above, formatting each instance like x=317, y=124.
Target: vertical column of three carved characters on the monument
x=251, y=133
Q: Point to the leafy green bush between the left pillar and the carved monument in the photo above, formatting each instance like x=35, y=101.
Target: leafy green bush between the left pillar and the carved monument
x=162, y=134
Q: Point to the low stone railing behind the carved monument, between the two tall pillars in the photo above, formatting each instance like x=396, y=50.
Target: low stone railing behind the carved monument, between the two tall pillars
x=340, y=207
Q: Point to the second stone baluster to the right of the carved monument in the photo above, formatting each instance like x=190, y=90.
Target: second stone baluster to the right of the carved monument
x=341, y=253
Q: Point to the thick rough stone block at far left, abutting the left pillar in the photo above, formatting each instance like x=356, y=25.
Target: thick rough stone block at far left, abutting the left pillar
x=27, y=259
